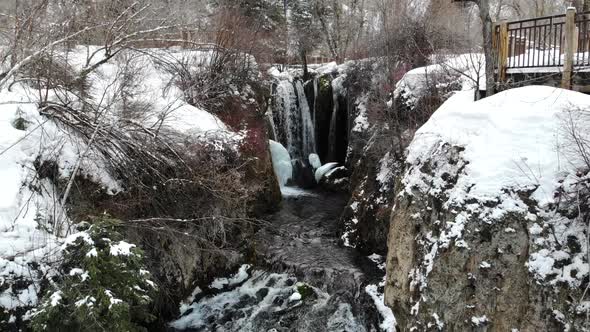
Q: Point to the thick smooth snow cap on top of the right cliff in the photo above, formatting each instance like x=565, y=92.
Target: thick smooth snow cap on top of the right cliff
x=511, y=140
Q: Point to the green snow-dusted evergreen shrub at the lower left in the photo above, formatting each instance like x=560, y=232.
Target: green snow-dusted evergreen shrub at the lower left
x=101, y=285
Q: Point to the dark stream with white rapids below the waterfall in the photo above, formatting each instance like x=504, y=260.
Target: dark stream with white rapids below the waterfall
x=303, y=280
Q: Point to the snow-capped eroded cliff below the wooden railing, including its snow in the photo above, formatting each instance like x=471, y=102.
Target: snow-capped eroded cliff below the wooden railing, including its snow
x=502, y=253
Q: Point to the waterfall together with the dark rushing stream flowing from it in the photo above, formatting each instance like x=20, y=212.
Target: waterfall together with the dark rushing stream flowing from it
x=303, y=278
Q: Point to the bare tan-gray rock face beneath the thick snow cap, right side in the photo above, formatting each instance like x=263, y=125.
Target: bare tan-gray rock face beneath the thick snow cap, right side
x=483, y=279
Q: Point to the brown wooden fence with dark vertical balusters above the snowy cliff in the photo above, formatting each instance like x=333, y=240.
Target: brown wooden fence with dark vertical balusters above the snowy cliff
x=543, y=44
